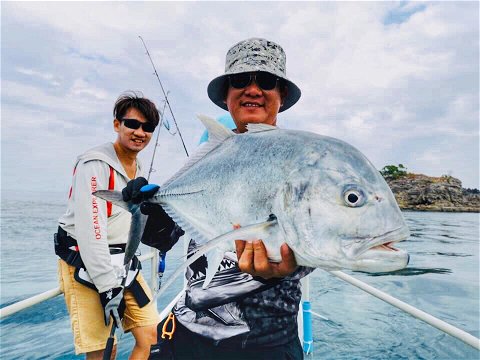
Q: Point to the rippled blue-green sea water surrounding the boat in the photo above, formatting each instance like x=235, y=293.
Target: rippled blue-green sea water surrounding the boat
x=441, y=279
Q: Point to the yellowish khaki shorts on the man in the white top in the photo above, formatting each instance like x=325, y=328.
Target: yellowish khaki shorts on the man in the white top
x=87, y=316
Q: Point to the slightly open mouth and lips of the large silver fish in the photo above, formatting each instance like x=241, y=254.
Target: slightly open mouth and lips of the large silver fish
x=384, y=242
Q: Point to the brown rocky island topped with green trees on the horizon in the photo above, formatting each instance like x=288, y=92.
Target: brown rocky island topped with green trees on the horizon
x=426, y=193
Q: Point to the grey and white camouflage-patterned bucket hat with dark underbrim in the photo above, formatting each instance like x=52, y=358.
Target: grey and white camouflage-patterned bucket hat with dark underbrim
x=252, y=55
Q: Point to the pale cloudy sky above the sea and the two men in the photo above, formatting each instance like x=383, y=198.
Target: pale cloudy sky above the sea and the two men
x=397, y=80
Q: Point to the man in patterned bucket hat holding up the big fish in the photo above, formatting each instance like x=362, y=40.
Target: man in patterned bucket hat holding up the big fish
x=249, y=311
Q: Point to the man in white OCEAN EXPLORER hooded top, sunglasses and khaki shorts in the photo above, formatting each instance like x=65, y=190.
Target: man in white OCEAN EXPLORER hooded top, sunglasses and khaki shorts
x=92, y=235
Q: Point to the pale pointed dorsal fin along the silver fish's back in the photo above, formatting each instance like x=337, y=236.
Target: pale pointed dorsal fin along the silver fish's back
x=217, y=134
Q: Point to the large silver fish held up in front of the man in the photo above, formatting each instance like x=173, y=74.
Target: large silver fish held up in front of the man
x=318, y=194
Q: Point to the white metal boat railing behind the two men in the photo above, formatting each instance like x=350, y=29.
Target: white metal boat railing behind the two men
x=304, y=318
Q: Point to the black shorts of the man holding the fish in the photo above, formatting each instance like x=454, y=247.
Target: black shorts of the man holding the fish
x=186, y=345
